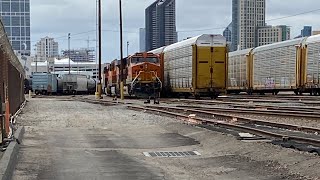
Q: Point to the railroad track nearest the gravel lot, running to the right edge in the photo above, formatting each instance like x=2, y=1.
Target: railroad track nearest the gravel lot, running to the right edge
x=301, y=134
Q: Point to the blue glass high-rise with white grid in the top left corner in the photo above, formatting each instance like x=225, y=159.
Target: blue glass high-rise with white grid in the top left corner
x=15, y=15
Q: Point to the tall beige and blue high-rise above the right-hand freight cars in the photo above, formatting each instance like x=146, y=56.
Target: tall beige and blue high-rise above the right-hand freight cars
x=247, y=17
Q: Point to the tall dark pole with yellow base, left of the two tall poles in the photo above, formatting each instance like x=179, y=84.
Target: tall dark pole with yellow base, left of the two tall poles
x=99, y=86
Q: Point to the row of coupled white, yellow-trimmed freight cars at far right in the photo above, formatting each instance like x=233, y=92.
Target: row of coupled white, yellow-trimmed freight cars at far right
x=291, y=65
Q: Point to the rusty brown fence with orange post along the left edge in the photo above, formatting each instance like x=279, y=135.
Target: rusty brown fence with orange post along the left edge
x=12, y=77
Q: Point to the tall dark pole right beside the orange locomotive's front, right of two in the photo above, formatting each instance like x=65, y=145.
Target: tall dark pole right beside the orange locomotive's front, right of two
x=121, y=55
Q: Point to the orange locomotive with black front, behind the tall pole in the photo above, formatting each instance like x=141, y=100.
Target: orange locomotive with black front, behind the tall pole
x=142, y=76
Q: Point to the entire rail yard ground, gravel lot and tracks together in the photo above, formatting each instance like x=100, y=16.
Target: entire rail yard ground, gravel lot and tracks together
x=232, y=137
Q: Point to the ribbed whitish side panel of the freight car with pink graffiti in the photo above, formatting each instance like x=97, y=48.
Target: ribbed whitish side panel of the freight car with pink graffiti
x=275, y=68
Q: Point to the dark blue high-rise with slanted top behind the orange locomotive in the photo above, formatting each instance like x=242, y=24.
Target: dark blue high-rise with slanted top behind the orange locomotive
x=160, y=24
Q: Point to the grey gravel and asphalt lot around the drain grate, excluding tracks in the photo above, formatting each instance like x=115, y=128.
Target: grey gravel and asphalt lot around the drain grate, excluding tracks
x=76, y=140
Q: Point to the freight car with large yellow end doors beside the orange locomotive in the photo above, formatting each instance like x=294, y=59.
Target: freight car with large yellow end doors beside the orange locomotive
x=196, y=66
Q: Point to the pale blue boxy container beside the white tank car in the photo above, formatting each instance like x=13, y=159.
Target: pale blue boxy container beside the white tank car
x=44, y=83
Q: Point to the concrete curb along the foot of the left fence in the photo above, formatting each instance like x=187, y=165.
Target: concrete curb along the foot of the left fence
x=10, y=157
